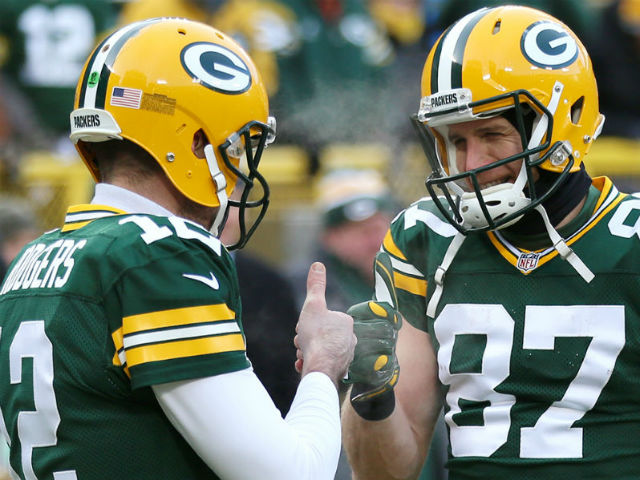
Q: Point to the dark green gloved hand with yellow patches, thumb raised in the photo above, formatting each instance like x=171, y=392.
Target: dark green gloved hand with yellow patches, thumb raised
x=374, y=370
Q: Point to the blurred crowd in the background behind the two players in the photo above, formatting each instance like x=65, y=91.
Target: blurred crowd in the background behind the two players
x=343, y=78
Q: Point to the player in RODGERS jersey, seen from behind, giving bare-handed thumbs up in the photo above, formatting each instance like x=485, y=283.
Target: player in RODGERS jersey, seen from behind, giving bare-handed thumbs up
x=122, y=353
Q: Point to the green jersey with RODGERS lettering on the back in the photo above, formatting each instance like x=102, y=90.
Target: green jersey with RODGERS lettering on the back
x=91, y=316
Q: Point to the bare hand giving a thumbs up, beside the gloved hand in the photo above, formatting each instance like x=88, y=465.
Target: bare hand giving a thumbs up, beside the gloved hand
x=325, y=339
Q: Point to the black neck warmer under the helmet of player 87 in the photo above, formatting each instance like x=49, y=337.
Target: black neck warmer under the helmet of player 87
x=565, y=199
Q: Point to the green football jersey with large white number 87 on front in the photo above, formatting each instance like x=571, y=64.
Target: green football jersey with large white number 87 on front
x=539, y=370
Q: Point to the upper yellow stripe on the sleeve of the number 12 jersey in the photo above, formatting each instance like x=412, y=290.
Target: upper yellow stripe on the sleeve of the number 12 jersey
x=176, y=318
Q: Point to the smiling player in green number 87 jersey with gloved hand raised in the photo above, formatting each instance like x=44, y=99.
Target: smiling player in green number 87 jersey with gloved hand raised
x=517, y=278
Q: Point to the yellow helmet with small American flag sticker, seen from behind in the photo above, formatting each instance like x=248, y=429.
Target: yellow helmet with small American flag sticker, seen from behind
x=159, y=81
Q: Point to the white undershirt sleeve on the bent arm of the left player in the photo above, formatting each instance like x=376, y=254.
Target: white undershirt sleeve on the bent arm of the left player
x=233, y=425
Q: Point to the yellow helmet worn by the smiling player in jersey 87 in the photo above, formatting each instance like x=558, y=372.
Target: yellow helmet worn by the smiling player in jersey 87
x=516, y=61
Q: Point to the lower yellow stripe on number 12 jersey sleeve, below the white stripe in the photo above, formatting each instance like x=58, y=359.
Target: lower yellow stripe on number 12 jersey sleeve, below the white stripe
x=184, y=349
